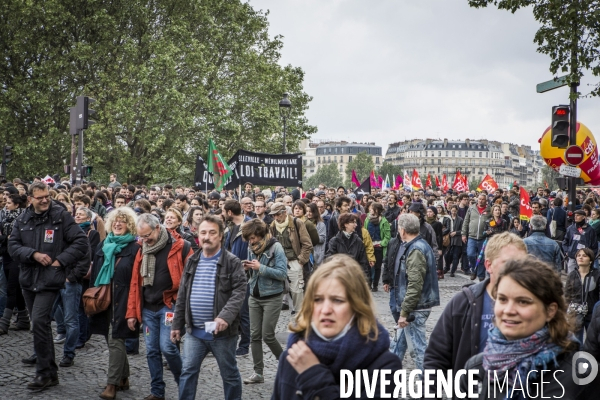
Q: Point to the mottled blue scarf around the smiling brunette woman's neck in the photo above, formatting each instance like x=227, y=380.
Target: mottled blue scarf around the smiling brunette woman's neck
x=522, y=355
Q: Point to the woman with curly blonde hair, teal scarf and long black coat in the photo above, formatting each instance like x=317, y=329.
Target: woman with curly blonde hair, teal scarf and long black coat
x=113, y=265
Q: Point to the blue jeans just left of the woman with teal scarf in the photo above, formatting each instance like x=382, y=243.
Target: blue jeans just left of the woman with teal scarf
x=66, y=315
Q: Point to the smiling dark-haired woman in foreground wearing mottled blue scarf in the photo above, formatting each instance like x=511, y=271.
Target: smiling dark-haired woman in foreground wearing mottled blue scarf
x=531, y=334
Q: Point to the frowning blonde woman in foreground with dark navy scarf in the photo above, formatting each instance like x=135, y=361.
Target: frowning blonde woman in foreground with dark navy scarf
x=336, y=329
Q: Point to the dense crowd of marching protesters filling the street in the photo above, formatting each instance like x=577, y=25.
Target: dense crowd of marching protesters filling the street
x=215, y=270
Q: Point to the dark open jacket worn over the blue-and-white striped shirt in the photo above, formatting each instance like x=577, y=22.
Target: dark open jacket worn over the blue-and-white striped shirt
x=230, y=293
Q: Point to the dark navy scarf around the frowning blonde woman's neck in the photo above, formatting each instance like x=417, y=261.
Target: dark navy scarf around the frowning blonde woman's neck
x=352, y=351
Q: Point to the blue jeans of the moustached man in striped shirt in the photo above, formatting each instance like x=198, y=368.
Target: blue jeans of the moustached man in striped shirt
x=194, y=351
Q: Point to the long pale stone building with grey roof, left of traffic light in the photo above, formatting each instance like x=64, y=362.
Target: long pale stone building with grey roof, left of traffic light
x=505, y=162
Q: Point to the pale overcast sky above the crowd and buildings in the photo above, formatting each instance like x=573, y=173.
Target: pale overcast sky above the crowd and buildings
x=389, y=70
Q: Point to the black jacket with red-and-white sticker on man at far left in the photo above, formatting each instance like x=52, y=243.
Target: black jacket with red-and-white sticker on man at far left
x=56, y=234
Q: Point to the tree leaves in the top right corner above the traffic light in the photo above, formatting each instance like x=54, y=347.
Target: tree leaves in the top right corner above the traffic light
x=569, y=35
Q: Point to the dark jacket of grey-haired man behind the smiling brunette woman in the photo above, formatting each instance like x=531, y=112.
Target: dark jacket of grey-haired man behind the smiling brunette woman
x=457, y=330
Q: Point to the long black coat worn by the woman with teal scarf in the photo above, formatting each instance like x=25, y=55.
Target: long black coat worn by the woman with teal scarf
x=121, y=281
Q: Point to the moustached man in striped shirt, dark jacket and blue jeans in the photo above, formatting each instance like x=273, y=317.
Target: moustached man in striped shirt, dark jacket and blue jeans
x=211, y=293
